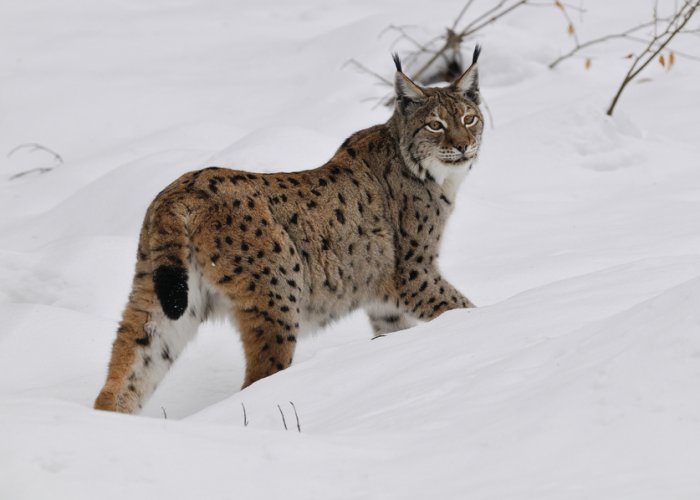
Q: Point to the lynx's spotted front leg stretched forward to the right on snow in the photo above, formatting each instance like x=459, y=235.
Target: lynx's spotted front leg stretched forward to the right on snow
x=426, y=295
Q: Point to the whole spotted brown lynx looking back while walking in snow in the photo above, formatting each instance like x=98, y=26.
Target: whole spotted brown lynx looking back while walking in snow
x=286, y=253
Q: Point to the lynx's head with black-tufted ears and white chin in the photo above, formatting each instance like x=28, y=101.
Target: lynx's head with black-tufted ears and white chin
x=438, y=129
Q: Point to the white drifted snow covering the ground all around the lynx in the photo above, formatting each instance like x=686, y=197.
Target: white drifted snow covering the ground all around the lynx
x=576, y=234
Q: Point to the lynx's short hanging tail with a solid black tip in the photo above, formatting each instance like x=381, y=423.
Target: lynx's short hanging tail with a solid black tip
x=169, y=252
